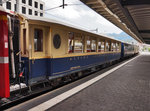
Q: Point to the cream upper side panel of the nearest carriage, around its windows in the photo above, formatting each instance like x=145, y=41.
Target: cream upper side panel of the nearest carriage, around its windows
x=49, y=30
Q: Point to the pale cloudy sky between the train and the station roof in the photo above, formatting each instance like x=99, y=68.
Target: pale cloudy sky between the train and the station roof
x=82, y=16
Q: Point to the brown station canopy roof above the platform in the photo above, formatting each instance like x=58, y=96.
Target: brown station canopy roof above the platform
x=132, y=16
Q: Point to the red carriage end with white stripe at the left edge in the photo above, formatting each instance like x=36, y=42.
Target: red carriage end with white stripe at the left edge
x=4, y=58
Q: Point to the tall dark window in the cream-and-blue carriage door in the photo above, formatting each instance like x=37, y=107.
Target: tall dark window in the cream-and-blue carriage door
x=38, y=40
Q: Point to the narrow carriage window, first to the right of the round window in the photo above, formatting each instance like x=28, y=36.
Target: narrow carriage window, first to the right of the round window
x=71, y=42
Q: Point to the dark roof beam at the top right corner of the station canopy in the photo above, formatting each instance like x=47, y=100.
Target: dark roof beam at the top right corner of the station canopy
x=134, y=2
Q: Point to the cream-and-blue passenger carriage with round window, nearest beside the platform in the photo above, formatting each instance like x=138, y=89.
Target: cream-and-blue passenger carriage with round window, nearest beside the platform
x=51, y=49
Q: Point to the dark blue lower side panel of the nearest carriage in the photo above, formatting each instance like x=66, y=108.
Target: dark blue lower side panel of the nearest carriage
x=41, y=69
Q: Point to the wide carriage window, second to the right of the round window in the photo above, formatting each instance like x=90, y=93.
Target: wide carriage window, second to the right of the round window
x=78, y=45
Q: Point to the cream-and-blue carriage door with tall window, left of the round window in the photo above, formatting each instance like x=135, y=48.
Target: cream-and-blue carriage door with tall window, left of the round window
x=39, y=60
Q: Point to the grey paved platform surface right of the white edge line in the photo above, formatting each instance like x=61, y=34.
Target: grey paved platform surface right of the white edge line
x=126, y=89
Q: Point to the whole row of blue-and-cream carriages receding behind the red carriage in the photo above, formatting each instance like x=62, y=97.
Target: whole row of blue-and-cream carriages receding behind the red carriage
x=44, y=50
